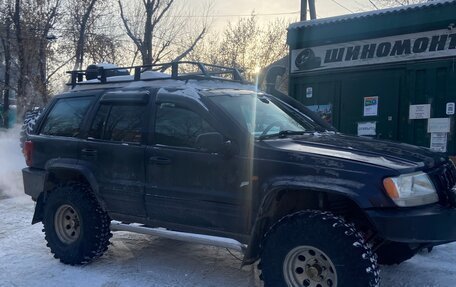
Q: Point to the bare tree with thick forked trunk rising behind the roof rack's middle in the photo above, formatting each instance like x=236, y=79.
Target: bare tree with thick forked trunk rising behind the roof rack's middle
x=155, y=34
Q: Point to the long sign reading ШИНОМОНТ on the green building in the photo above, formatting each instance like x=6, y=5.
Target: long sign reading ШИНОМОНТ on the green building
x=424, y=45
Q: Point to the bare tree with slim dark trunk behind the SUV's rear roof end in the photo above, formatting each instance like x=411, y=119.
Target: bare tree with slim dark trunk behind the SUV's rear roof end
x=88, y=33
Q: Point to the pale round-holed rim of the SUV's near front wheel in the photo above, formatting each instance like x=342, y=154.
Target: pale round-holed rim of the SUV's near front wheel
x=309, y=267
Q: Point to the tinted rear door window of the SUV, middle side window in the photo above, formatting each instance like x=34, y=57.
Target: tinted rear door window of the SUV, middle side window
x=118, y=123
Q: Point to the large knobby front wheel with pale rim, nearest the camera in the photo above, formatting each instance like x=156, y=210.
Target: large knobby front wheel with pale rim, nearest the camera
x=318, y=249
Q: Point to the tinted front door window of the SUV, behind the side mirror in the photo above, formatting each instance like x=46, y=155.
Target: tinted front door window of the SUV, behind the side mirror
x=176, y=126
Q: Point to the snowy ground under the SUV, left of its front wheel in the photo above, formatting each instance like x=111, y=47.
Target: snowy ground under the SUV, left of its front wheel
x=132, y=259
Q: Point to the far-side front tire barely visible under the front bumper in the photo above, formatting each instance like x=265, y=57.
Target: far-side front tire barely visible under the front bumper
x=394, y=253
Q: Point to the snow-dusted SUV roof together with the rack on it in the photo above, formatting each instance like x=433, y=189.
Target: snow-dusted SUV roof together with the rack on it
x=207, y=77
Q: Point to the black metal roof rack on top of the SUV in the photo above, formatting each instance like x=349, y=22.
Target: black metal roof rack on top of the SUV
x=198, y=71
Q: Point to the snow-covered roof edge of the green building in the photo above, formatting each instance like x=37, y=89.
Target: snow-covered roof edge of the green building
x=354, y=16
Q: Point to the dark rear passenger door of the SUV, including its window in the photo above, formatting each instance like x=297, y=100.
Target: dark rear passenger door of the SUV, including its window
x=114, y=150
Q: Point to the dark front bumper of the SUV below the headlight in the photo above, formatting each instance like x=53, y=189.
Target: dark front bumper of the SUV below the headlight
x=427, y=224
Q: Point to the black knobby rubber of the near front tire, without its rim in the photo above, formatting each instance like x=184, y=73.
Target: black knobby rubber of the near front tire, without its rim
x=340, y=240
